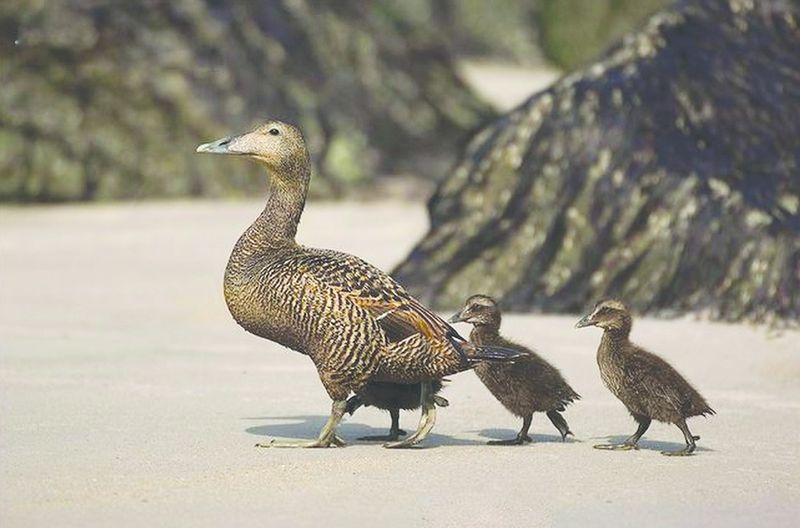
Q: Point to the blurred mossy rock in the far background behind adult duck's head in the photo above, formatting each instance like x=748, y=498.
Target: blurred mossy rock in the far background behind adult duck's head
x=105, y=99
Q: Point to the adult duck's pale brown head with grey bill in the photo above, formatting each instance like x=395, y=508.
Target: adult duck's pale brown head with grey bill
x=278, y=145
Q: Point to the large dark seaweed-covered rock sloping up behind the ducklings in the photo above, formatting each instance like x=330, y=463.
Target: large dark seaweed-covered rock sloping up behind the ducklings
x=667, y=173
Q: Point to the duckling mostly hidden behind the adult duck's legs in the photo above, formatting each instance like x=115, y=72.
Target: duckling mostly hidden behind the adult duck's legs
x=392, y=397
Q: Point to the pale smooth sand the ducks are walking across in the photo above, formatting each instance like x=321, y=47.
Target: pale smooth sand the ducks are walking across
x=128, y=397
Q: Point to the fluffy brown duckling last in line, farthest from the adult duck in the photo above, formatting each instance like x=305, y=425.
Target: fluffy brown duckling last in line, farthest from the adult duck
x=648, y=386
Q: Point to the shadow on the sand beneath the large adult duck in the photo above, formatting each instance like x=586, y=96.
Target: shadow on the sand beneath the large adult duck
x=307, y=427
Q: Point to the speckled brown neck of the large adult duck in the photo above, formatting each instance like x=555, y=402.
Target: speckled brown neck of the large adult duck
x=276, y=226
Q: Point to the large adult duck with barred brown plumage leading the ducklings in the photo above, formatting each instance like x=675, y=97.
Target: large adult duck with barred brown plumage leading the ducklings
x=354, y=321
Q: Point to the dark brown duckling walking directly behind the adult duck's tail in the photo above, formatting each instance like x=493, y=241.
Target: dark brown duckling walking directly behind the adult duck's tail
x=529, y=385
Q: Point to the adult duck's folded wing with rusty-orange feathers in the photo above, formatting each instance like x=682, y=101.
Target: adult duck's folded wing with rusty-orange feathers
x=399, y=315
